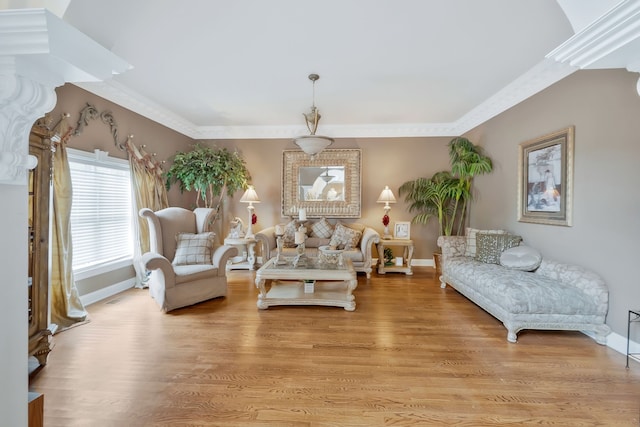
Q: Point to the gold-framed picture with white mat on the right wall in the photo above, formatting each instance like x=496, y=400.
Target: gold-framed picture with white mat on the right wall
x=545, y=179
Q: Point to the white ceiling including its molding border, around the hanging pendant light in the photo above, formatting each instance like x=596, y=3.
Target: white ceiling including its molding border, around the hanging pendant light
x=238, y=69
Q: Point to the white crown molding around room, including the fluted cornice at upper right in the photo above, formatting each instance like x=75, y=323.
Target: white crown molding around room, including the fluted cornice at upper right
x=609, y=42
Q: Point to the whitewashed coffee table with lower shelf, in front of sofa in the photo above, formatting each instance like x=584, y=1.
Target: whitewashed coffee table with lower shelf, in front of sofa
x=334, y=284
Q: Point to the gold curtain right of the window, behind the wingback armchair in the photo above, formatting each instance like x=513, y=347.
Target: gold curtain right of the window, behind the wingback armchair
x=150, y=192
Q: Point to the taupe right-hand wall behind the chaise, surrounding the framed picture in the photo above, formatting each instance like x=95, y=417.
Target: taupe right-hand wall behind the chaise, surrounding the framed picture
x=604, y=107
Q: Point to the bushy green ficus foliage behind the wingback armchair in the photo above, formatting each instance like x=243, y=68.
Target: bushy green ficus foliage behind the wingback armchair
x=212, y=173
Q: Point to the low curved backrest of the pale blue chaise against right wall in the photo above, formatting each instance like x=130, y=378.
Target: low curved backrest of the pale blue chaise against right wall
x=588, y=281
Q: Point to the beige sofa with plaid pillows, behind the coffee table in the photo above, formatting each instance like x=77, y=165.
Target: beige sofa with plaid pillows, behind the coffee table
x=357, y=240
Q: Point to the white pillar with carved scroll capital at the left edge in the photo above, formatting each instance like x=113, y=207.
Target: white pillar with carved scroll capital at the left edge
x=29, y=74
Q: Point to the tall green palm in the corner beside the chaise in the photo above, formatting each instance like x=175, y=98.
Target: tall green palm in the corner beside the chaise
x=446, y=195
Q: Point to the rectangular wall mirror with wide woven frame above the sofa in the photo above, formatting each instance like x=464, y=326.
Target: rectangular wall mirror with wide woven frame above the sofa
x=327, y=186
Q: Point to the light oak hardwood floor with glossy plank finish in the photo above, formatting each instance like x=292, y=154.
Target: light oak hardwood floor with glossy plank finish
x=411, y=354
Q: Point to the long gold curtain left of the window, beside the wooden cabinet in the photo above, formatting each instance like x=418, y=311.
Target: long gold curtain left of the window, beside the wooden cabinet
x=66, y=307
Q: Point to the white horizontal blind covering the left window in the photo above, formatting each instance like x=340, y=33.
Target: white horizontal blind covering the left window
x=101, y=211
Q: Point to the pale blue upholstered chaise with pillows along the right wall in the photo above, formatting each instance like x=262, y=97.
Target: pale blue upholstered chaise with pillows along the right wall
x=525, y=291
